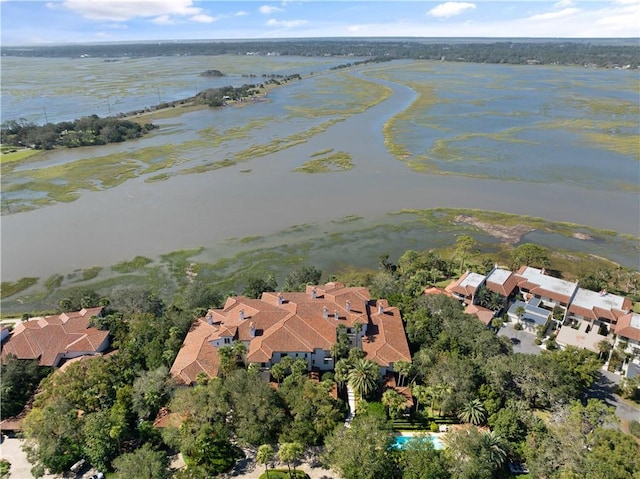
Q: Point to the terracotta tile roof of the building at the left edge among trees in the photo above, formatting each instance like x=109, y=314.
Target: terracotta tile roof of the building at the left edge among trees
x=52, y=338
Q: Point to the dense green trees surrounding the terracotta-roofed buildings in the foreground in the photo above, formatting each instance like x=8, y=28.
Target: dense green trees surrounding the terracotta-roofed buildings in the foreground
x=512, y=407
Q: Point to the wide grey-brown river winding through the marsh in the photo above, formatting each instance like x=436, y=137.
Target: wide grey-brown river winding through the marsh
x=187, y=211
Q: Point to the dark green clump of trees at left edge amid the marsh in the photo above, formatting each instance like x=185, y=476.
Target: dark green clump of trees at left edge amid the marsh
x=88, y=130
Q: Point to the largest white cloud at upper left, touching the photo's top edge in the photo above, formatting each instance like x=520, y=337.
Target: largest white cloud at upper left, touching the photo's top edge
x=122, y=10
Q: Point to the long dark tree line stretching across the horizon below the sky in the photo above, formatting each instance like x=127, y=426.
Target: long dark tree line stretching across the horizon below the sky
x=600, y=52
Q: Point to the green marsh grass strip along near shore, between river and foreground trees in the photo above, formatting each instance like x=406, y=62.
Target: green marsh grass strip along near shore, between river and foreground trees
x=328, y=246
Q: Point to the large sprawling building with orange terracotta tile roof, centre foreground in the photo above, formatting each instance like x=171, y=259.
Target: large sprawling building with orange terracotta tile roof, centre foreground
x=298, y=325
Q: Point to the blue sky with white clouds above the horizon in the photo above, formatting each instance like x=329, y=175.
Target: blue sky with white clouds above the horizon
x=26, y=22
